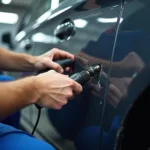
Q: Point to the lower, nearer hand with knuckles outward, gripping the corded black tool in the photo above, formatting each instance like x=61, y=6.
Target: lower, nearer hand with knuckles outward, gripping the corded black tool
x=55, y=89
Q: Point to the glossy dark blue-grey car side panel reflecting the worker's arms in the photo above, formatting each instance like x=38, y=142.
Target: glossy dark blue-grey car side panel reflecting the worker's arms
x=122, y=52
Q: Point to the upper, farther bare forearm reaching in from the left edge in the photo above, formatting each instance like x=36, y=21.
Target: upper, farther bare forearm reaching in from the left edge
x=10, y=61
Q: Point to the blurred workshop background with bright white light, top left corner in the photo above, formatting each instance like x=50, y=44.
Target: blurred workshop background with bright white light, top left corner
x=12, y=11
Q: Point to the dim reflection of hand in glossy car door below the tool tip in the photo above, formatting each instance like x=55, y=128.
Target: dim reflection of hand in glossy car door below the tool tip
x=117, y=89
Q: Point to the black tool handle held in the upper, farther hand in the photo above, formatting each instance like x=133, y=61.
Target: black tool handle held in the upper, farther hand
x=63, y=63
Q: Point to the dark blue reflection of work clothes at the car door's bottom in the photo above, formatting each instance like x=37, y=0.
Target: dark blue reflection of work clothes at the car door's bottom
x=89, y=138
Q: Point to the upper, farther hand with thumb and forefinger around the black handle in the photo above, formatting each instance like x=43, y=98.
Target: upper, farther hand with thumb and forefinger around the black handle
x=47, y=60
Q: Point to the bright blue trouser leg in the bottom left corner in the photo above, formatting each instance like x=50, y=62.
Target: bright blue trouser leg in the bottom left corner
x=11, y=138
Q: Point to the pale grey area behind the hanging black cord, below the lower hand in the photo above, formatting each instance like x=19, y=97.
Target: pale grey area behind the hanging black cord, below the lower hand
x=28, y=118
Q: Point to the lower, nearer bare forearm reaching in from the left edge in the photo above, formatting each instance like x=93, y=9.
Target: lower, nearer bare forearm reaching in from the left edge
x=15, y=95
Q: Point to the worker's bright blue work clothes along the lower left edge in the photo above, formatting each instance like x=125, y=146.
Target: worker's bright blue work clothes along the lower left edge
x=12, y=138
